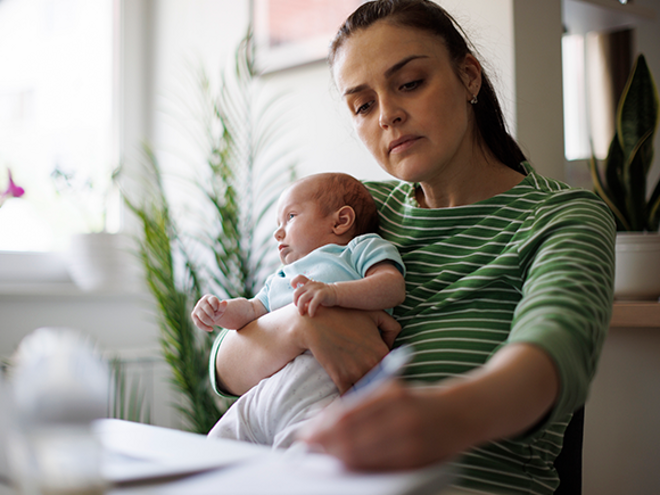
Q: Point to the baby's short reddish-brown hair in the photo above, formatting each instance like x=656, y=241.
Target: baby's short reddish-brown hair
x=336, y=190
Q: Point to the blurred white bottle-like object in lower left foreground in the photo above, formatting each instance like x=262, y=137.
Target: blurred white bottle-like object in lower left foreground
x=60, y=385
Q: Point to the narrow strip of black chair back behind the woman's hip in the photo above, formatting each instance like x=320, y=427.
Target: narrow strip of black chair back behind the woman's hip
x=569, y=460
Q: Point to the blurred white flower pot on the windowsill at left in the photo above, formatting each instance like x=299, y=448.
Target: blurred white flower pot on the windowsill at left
x=104, y=262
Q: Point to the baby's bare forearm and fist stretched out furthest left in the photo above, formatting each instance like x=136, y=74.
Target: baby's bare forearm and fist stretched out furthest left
x=232, y=314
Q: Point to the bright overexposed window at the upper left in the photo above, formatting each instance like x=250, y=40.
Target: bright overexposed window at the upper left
x=56, y=119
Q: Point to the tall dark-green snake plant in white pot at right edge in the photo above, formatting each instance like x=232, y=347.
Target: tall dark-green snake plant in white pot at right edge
x=624, y=188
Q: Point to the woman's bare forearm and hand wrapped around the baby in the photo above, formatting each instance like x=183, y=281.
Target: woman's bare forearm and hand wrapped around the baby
x=347, y=343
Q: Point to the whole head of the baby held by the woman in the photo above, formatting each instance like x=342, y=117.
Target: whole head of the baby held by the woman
x=320, y=209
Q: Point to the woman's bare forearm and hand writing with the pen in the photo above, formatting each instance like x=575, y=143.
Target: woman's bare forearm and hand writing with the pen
x=506, y=397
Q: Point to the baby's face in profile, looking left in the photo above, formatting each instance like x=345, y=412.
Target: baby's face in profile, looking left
x=302, y=225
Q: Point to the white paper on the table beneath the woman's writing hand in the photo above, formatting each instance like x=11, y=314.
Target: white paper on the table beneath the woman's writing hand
x=136, y=451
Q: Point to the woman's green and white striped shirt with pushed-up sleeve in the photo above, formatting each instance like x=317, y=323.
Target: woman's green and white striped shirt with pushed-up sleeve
x=534, y=264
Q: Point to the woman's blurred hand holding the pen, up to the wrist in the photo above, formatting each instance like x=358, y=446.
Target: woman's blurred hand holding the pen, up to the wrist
x=396, y=427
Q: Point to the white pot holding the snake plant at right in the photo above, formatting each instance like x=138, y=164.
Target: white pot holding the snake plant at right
x=637, y=273
